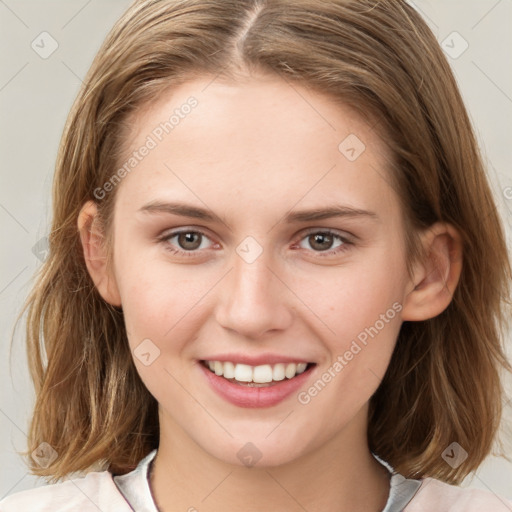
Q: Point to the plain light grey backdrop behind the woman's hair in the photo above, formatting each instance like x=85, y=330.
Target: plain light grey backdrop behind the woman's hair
x=35, y=97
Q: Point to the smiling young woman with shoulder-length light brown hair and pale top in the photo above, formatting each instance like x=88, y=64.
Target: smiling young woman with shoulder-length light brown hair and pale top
x=277, y=279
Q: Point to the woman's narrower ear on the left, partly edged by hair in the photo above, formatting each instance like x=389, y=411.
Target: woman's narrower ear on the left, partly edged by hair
x=95, y=254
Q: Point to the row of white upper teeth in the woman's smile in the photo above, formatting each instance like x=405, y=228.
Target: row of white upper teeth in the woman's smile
x=259, y=374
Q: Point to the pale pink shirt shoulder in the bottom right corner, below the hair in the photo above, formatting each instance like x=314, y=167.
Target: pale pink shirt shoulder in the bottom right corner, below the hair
x=436, y=496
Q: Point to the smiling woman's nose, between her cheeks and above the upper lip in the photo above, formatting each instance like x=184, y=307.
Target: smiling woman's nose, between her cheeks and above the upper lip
x=253, y=299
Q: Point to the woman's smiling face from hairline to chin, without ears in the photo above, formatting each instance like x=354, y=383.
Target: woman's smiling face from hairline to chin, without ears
x=244, y=267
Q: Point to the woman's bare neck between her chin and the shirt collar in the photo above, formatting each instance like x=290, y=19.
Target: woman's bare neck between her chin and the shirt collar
x=340, y=475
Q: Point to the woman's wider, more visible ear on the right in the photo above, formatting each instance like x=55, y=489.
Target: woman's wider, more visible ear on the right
x=435, y=278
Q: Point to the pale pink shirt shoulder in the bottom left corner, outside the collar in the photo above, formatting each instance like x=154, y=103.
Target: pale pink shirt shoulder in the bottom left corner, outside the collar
x=96, y=491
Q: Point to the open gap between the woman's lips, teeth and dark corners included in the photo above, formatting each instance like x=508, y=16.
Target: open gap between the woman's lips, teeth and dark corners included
x=266, y=375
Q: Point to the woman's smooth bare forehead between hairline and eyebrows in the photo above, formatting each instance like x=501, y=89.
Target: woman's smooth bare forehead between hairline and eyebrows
x=262, y=138
